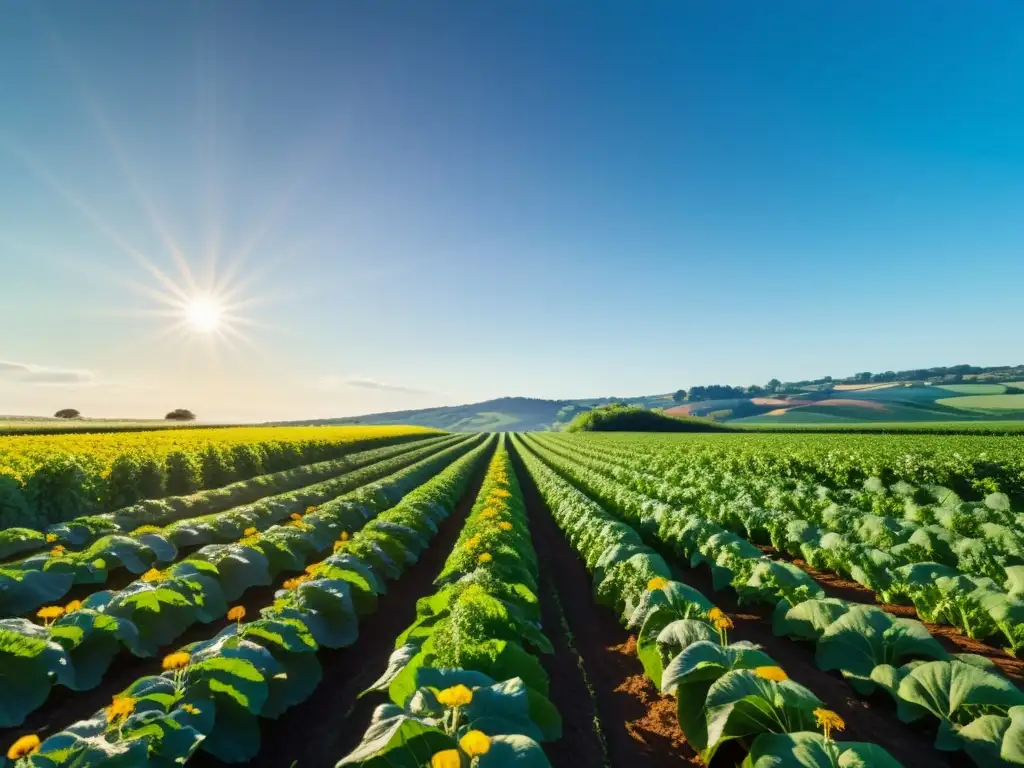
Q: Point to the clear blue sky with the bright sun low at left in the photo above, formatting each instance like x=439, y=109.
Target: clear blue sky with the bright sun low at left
x=409, y=204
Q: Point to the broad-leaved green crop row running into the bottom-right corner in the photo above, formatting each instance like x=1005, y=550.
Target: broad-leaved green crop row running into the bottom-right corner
x=974, y=707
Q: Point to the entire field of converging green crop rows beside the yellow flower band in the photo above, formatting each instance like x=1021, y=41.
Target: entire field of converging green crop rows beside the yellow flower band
x=535, y=600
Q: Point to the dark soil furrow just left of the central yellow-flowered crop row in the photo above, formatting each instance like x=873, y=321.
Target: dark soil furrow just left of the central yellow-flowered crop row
x=322, y=731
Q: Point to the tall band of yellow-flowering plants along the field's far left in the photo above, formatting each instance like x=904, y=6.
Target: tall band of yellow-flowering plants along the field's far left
x=46, y=480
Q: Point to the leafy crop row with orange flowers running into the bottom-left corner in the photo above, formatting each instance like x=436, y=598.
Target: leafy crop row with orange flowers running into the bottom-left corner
x=211, y=694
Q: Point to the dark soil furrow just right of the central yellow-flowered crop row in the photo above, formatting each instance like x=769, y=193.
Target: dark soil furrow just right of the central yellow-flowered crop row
x=633, y=716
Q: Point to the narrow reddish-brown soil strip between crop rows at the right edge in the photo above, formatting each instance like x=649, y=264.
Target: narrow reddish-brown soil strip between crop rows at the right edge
x=951, y=638
